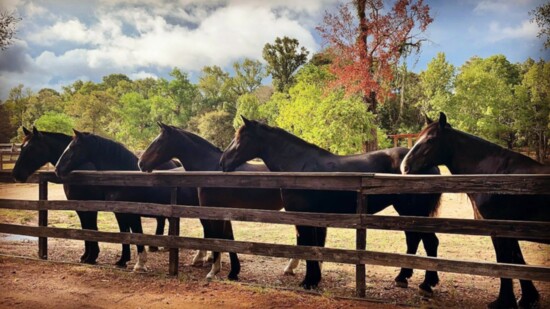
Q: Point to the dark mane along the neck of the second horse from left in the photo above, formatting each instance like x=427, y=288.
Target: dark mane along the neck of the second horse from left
x=113, y=151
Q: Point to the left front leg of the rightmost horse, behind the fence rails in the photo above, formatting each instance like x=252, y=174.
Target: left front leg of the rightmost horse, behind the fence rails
x=506, y=297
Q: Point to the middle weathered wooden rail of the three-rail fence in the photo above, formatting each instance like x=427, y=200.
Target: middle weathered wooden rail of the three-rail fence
x=515, y=229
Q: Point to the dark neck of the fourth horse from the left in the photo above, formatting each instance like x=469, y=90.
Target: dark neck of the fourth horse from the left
x=289, y=154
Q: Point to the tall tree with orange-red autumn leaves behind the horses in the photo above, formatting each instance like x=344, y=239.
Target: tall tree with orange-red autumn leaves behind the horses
x=367, y=41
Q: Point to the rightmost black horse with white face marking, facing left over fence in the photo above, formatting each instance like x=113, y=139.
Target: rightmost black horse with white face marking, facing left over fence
x=462, y=153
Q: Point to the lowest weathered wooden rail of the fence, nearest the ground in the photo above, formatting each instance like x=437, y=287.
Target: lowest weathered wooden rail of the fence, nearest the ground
x=539, y=273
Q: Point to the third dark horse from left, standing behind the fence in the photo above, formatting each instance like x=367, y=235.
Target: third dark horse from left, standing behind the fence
x=197, y=154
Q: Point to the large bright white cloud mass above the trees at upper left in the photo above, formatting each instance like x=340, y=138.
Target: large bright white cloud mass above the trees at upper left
x=133, y=36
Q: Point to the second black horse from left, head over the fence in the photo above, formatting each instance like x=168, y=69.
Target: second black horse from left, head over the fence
x=105, y=155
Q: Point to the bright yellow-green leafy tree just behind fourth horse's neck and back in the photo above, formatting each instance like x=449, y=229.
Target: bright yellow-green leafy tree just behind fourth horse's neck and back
x=330, y=120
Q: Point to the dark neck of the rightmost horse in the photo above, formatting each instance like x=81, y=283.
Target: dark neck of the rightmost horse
x=473, y=155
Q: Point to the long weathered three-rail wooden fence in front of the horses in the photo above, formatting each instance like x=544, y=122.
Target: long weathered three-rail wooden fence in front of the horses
x=363, y=184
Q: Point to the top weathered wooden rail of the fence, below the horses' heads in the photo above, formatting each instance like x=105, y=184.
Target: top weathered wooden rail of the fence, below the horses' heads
x=370, y=183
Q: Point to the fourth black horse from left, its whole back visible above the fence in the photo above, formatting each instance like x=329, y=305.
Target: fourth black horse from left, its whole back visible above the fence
x=284, y=152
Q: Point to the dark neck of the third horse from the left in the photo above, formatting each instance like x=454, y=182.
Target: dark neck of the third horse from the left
x=196, y=154
